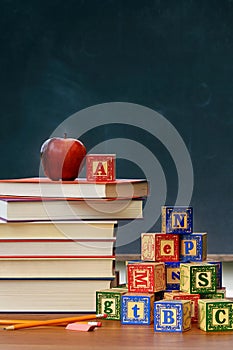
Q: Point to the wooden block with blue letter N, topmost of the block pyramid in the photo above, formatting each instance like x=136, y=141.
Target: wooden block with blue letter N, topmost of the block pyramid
x=178, y=220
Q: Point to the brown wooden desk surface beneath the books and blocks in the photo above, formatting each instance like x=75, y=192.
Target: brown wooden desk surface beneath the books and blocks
x=112, y=335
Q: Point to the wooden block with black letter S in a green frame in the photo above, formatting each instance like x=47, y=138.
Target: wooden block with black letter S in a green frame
x=197, y=278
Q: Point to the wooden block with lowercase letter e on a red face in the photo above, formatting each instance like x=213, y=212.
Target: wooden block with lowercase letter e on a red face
x=160, y=247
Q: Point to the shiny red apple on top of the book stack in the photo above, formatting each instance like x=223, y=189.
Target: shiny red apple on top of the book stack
x=62, y=158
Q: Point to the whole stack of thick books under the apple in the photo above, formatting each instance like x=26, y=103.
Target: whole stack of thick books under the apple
x=57, y=240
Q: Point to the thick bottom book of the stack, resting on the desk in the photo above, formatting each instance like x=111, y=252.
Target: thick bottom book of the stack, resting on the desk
x=50, y=295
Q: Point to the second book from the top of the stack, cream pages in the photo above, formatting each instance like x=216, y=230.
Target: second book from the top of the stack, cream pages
x=35, y=208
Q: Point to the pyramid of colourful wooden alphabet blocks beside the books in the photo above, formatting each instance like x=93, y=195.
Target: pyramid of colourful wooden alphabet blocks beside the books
x=173, y=284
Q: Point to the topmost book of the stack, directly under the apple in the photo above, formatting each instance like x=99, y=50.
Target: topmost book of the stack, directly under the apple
x=79, y=188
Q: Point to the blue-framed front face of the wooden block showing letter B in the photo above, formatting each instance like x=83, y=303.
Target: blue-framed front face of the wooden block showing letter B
x=168, y=316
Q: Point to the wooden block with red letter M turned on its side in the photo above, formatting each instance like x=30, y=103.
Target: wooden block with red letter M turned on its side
x=146, y=277
